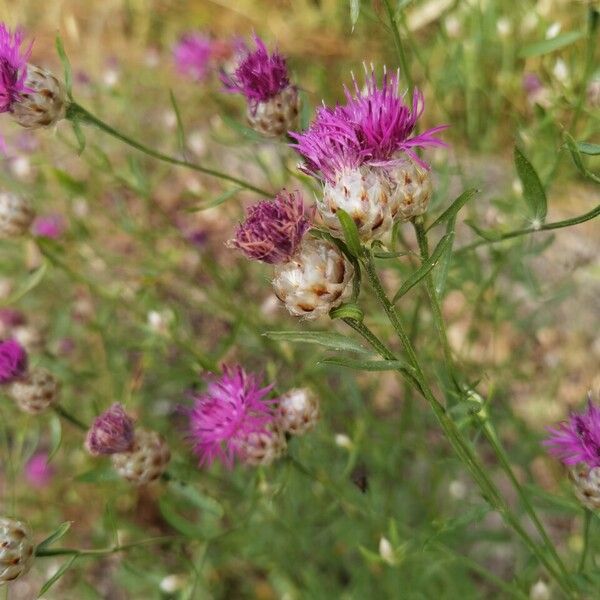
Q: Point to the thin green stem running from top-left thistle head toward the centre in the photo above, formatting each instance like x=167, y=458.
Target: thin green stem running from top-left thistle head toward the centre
x=77, y=113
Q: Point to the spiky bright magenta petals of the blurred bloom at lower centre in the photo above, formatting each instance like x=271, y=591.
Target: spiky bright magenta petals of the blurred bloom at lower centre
x=232, y=408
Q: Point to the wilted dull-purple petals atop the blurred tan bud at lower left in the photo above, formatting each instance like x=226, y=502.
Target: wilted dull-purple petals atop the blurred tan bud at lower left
x=111, y=432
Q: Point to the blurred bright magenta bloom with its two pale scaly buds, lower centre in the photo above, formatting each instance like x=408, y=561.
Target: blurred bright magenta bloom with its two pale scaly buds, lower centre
x=235, y=419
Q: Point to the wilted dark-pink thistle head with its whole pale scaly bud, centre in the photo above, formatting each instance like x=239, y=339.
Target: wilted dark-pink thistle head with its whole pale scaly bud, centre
x=312, y=276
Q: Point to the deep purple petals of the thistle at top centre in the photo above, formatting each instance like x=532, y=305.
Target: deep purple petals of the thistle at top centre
x=259, y=76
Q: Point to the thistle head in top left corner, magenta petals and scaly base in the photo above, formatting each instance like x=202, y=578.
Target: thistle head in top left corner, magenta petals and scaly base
x=33, y=96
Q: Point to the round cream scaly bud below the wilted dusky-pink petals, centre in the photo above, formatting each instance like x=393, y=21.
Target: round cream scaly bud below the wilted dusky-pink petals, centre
x=315, y=280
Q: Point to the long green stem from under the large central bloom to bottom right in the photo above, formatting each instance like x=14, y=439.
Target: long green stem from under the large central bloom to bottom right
x=454, y=435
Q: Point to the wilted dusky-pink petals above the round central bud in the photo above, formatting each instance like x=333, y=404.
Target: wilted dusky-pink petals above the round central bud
x=274, y=229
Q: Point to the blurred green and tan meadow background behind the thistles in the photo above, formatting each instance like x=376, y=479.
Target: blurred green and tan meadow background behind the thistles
x=137, y=293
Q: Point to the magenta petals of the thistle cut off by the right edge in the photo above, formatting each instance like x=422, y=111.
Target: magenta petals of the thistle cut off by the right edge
x=578, y=439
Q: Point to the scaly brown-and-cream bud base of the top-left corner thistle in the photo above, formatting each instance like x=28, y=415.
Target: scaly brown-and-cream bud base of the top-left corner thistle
x=44, y=101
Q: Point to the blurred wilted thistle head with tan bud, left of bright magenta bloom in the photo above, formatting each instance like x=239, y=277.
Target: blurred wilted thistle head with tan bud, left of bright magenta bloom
x=138, y=455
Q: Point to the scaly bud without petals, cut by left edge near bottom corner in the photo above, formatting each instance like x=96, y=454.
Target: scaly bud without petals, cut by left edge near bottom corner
x=16, y=549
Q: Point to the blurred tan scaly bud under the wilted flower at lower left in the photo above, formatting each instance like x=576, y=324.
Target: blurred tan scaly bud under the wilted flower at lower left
x=147, y=460
